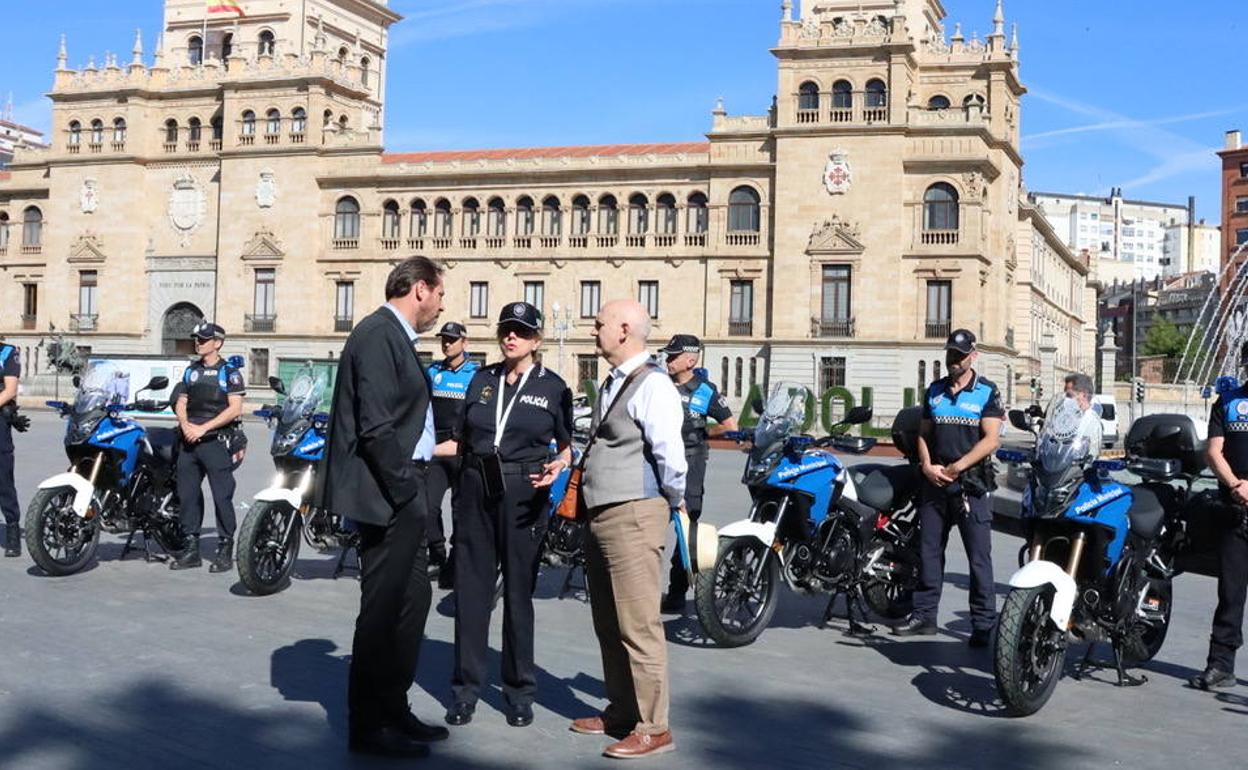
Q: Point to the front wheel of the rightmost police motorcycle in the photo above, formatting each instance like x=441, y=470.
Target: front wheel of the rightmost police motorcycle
x=1030, y=651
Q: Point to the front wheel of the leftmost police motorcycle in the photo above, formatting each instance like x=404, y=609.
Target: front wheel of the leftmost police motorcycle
x=61, y=541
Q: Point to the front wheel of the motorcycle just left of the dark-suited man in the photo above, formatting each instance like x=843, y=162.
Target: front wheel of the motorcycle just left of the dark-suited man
x=266, y=553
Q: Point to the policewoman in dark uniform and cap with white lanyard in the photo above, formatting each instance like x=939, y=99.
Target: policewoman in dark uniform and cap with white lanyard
x=514, y=411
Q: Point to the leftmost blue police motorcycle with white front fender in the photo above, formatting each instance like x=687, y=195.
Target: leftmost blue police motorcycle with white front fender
x=120, y=477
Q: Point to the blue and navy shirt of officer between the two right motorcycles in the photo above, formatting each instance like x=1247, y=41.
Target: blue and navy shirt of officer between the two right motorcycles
x=957, y=417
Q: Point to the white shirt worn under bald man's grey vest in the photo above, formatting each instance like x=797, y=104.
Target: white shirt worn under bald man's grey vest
x=656, y=406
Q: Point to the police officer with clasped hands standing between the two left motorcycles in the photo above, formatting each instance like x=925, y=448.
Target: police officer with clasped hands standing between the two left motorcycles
x=208, y=407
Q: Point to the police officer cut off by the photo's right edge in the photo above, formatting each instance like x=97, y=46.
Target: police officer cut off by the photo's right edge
x=1229, y=456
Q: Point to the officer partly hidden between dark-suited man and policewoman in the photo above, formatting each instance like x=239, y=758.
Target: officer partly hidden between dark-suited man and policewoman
x=450, y=378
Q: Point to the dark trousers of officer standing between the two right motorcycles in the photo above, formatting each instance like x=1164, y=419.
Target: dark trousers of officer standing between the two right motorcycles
x=939, y=512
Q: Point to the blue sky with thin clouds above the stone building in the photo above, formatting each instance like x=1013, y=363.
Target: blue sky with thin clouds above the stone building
x=1131, y=94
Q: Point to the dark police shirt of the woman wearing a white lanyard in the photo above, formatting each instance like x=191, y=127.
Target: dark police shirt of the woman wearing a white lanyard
x=544, y=412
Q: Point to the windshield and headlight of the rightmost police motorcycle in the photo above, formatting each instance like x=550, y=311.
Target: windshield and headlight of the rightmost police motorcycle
x=1069, y=444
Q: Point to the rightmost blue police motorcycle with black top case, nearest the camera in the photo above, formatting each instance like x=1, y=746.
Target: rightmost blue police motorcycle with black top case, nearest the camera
x=1098, y=565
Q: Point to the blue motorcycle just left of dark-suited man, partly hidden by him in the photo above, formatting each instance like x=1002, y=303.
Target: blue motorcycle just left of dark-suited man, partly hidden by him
x=283, y=515
